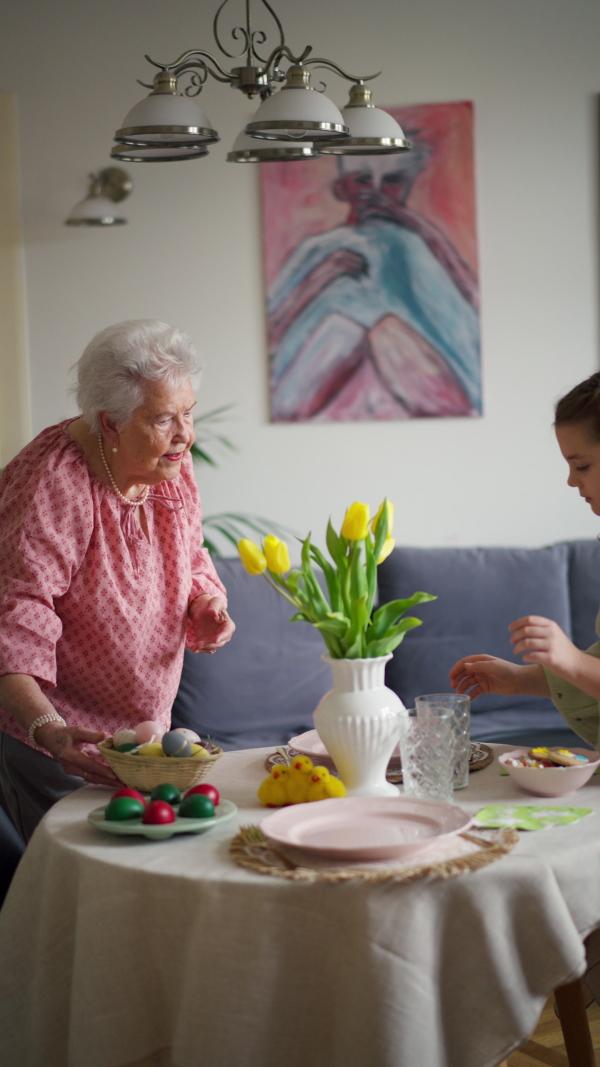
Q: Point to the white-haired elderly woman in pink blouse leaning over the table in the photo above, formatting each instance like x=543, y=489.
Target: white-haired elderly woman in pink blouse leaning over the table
x=103, y=577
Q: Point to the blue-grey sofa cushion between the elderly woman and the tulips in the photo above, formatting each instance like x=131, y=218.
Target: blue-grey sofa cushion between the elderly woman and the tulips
x=263, y=688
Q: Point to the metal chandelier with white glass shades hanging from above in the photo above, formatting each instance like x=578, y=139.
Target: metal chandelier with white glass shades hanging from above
x=294, y=121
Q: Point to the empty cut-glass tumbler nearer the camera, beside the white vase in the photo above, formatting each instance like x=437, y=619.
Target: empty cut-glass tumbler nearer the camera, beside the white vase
x=428, y=753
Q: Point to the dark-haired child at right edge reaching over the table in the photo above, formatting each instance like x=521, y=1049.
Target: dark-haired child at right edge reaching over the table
x=571, y=677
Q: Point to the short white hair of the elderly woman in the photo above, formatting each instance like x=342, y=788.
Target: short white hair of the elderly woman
x=120, y=361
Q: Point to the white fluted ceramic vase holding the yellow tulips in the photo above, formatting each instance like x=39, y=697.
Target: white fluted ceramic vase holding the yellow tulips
x=359, y=724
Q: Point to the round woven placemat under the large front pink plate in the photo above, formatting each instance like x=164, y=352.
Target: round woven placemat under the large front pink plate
x=471, y=853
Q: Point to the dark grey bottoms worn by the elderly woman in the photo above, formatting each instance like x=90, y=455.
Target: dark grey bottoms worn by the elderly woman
x=31, y=783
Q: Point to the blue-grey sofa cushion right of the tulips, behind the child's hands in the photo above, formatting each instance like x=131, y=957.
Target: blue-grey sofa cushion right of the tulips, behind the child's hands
x=480, y=593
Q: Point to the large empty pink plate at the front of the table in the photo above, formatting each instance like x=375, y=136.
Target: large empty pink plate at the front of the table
x=365, y=829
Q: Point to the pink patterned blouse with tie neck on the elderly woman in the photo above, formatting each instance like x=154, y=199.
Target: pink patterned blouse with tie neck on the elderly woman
x=90, y=607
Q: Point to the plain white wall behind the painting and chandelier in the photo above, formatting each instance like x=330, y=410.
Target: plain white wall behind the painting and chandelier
x=192, y=253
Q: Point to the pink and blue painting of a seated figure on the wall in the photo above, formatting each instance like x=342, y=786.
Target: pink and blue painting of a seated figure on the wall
x=371, y=265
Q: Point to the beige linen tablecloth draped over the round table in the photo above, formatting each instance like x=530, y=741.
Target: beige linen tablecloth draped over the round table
x=121, y=951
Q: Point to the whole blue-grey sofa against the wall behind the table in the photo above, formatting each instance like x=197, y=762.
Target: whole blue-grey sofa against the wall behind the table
x=263, y=689
